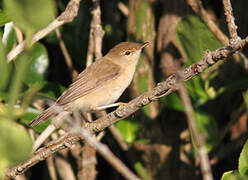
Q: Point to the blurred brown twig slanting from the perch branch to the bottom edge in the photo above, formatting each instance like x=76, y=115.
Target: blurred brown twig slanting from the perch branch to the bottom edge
x=198, y=137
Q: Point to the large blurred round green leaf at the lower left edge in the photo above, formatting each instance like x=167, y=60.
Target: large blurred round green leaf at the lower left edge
x=15, y=144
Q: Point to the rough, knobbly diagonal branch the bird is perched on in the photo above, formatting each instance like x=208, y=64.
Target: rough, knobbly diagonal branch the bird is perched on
x=162, y=89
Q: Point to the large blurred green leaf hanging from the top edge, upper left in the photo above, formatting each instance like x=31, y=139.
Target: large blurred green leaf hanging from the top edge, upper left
x=30, y=15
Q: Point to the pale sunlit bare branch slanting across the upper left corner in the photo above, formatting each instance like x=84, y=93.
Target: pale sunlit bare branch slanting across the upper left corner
x=68, y=15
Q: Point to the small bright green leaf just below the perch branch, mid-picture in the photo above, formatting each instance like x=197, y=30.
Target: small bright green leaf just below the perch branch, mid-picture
x=129, y=129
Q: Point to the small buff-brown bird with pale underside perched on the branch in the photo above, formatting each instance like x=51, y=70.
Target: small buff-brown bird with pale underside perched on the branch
x=100, y=84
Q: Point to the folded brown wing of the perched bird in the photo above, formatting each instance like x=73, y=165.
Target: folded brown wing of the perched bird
x=91, y=78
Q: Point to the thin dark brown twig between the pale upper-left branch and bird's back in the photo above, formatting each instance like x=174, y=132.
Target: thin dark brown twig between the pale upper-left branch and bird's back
x=66, y=54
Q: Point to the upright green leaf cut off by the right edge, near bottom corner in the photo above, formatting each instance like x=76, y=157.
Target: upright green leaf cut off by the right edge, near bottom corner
x=243, y=160
